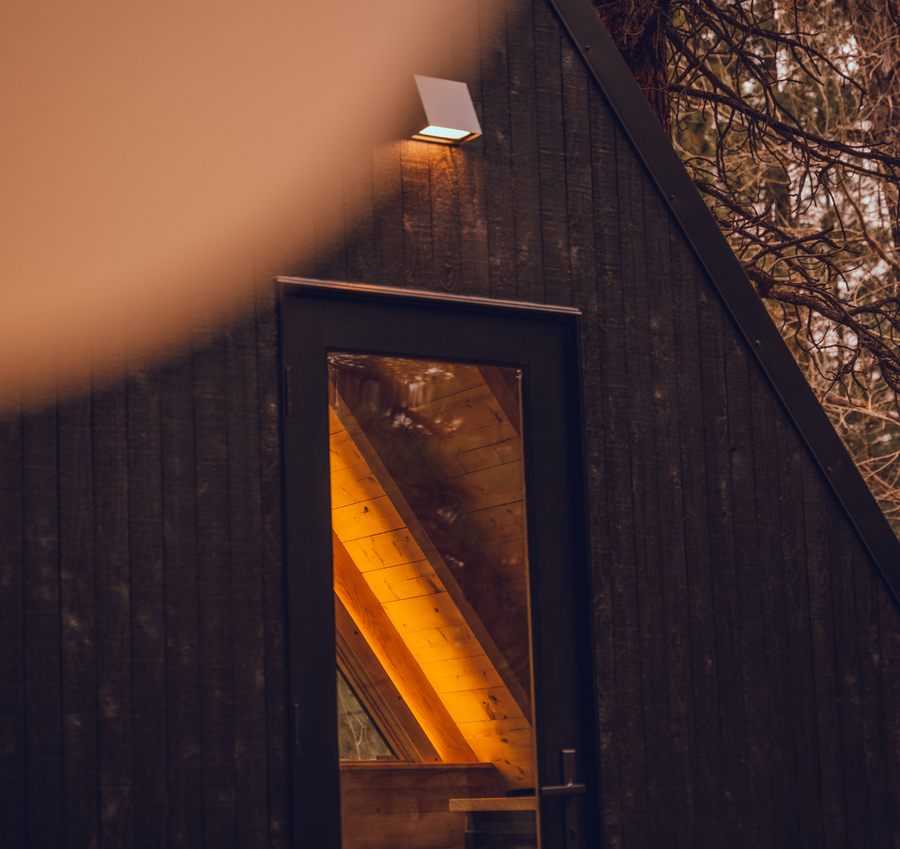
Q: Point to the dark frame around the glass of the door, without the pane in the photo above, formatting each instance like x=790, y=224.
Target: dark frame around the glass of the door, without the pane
x=319, y=317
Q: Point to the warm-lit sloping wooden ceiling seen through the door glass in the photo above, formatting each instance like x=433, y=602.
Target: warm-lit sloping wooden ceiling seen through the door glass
x=430, y=562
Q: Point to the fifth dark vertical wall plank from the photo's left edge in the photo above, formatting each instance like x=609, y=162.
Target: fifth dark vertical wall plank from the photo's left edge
x=148, y=612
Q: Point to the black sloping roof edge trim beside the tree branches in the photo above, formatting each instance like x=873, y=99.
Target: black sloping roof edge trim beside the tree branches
x=728, y=277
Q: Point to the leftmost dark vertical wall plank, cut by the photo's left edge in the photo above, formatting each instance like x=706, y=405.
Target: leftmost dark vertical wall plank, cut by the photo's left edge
x=13, y=707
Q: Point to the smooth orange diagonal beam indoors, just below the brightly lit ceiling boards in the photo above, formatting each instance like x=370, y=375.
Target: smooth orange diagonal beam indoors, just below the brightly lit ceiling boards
x=397, y=660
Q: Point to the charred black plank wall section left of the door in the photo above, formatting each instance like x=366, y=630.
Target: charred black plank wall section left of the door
x=141, y=616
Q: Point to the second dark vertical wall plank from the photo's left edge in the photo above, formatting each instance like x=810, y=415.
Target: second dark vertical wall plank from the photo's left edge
x=43, y=693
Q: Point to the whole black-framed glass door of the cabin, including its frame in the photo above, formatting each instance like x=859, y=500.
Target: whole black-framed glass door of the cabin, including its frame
x=438, y=646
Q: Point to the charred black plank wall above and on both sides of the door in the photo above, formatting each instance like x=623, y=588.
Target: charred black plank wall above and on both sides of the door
x=747, y=654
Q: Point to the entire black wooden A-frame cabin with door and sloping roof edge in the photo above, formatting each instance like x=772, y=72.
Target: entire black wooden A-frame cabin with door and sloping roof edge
x=741, y=662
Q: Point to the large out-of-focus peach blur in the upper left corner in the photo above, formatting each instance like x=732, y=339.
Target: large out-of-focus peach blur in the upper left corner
x=145, y=146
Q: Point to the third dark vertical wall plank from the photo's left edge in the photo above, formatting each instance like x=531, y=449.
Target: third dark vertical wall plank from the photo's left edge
x=78, y=606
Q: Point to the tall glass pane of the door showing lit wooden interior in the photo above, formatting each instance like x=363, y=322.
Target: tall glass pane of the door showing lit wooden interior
x=431, y=604
